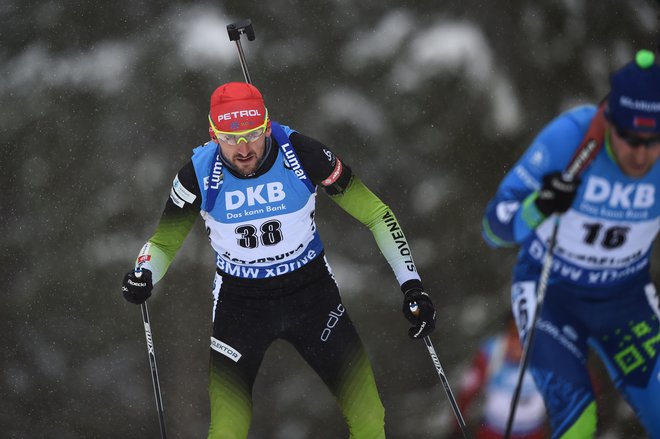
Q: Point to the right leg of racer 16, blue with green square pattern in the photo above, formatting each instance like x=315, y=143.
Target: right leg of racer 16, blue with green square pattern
x=628, y=342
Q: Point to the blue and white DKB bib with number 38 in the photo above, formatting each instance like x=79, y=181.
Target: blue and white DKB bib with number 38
x=263, y=226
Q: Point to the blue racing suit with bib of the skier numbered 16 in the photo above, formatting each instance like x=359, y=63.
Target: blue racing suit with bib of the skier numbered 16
x=600, y=293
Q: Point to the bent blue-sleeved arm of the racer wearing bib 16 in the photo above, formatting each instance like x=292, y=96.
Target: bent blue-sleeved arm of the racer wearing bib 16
x=511, y=215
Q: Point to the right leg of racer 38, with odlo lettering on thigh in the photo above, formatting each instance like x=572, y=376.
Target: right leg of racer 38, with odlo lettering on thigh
x=326, y=338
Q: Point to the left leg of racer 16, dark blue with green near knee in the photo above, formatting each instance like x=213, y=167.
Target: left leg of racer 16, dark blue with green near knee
x=558, y=359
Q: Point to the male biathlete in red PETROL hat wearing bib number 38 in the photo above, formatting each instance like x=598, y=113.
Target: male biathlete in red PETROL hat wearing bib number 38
x=255, y=185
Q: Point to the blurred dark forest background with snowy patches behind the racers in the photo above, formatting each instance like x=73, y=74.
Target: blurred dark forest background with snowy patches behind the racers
x=430, y=102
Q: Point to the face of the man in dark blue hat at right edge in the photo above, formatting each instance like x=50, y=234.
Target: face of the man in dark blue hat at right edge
x=634, y=160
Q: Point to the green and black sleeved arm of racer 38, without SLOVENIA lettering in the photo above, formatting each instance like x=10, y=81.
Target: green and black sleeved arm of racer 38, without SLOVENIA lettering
x=178, y=217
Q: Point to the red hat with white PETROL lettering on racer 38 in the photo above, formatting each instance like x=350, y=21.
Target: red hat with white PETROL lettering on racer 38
x=236, y=107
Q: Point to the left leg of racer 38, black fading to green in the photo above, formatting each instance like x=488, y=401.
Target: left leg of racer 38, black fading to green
x=237, y=349
